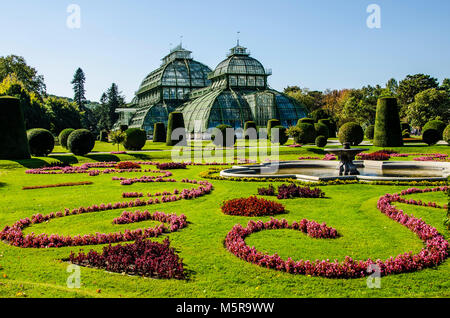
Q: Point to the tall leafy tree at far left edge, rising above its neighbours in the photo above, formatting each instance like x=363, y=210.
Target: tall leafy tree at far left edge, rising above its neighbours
x=27, y=75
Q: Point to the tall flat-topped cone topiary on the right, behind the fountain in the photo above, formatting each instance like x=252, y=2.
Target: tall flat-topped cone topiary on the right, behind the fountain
x=388, y=131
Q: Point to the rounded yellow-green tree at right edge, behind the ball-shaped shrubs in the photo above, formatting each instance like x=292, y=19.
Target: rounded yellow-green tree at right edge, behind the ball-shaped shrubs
x=429, y=105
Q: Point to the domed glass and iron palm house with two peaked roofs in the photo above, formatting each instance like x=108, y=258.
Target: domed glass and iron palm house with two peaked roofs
x=235, y=92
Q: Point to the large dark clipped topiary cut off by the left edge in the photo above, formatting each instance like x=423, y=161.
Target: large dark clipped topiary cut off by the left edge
x=13, y=138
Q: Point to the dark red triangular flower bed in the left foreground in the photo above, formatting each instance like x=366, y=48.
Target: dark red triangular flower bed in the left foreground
x=142, y=258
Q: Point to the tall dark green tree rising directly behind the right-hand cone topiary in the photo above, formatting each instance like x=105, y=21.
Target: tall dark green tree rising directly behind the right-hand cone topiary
x=411, y=86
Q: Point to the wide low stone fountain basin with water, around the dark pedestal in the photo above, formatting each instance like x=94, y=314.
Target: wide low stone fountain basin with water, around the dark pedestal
x=319, y=170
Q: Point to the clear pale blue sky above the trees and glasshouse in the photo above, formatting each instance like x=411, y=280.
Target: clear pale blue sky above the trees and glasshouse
x=316, y=44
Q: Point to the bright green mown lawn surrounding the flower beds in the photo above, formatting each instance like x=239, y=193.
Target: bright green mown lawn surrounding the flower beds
x=214, y=272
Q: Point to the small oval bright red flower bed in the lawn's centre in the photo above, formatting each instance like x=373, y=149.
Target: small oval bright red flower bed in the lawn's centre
x=252, y=206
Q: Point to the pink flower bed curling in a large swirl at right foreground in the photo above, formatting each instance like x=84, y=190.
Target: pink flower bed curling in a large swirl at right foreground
x=434, y=252
